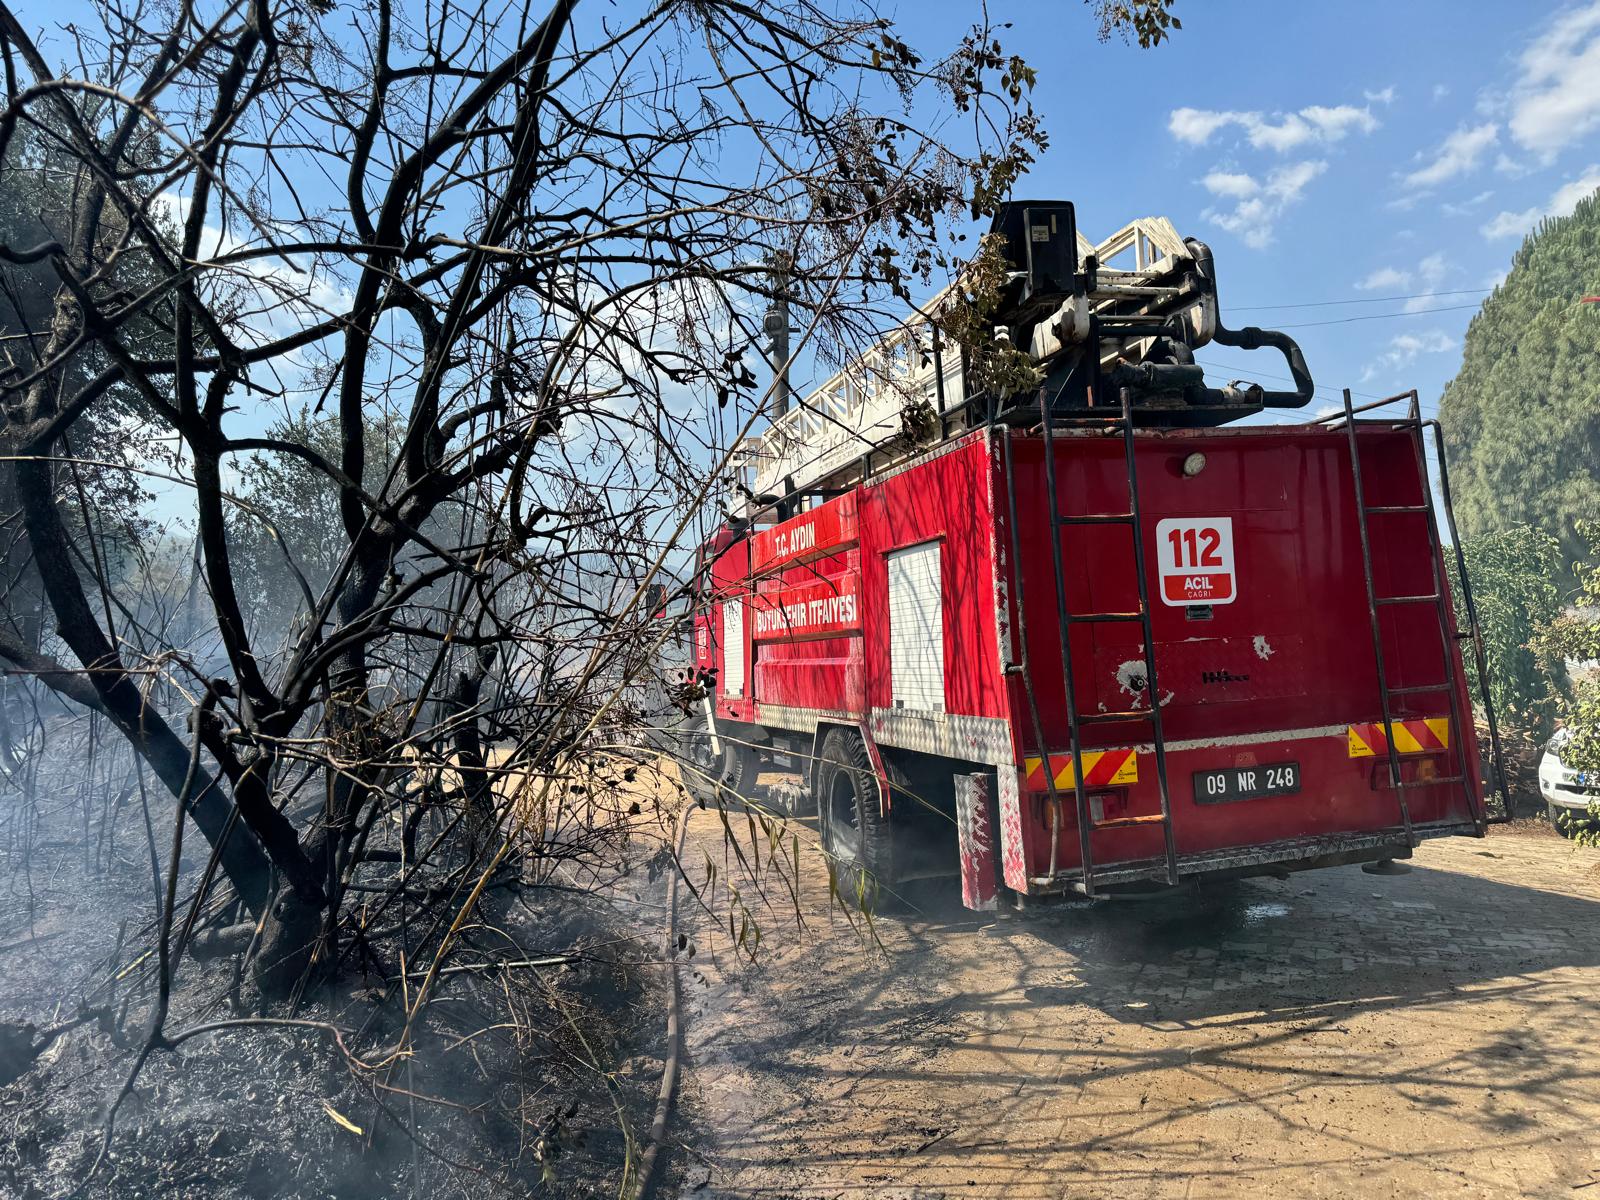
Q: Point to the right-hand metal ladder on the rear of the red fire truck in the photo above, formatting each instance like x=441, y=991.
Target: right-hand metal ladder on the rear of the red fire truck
x=1447, y=638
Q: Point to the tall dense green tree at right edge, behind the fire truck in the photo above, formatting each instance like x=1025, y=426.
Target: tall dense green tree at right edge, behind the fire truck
x=1522, y=417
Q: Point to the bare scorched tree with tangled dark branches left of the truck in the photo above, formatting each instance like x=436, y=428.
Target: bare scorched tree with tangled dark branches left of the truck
x=530, y=242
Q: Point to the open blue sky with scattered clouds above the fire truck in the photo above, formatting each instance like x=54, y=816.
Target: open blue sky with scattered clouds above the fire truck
x=1343, y=151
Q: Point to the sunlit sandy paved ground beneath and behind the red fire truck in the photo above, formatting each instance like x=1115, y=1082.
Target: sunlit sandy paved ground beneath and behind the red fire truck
x=1334, y=1034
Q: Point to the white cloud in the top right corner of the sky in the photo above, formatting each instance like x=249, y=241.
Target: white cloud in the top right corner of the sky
x=1558, y=98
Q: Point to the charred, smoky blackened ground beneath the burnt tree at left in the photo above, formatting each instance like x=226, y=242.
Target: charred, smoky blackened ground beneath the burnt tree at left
x=521, y=1086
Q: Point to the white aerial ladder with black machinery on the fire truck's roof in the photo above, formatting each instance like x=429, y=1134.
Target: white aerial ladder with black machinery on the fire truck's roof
x=1098, y=321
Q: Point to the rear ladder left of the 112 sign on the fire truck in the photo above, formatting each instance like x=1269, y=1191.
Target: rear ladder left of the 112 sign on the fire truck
x=1076, y=721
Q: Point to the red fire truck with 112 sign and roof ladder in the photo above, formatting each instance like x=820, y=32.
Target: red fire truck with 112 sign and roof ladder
x=1089, y=638
